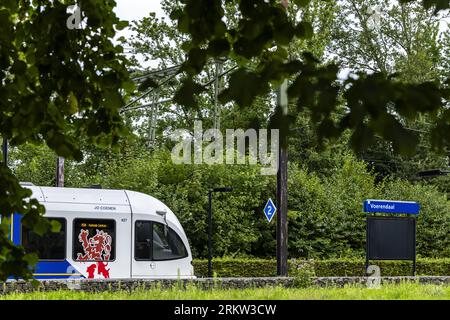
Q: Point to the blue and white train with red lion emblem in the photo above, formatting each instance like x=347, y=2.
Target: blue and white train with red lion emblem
x=115, y=234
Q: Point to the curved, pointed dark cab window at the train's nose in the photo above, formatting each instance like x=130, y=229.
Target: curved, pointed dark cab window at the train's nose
x=167, y=245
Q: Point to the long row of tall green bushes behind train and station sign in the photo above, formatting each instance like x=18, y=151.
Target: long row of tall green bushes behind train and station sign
x=325, y=211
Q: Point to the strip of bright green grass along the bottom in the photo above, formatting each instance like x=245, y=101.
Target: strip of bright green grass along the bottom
x=404, y=291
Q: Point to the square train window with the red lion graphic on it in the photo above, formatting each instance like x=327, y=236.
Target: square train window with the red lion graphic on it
x=94, y=240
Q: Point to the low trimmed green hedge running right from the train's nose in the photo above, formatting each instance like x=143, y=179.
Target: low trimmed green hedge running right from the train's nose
x=228, y=267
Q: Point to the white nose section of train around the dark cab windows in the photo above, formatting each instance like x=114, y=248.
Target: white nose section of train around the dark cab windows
x=158, y=250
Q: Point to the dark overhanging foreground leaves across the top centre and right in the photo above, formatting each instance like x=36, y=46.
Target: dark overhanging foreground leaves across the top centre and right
x=257, y=42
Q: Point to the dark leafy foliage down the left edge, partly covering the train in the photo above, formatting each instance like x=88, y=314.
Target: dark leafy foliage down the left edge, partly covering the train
x=57, y=85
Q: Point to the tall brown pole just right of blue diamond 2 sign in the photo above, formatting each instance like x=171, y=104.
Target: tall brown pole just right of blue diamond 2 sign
x=282, y=227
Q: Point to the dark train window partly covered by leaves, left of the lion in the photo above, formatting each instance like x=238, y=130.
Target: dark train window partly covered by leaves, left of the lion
x=50, y=246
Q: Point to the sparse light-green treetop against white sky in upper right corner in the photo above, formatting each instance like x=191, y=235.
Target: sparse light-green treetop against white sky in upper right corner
x=386, y=36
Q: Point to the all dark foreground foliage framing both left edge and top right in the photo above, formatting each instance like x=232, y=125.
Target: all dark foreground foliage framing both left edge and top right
x=59, y=85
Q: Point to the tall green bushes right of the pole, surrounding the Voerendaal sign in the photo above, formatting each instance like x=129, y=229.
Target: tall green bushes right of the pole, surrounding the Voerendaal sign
x=326, y=219
